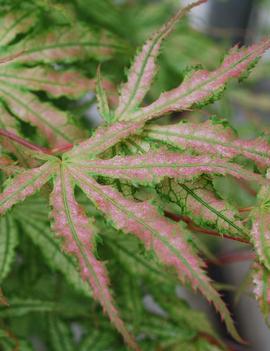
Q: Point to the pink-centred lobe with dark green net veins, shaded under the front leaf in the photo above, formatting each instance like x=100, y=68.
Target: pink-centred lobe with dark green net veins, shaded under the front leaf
x=197, y=199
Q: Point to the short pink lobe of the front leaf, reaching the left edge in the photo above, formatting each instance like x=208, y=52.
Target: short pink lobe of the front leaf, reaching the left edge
x=25, y=184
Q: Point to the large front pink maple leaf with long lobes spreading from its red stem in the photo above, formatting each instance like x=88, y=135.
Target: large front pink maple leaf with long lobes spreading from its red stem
x=80, y=166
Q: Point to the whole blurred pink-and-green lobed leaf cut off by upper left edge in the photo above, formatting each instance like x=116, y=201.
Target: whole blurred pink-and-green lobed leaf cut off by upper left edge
x=58, y=44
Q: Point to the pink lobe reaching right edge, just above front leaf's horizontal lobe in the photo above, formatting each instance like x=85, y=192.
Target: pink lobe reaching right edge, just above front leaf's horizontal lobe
x=210, y=138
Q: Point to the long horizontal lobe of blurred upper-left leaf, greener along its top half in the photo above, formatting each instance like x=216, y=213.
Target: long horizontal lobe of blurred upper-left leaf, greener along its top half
x=66, y=44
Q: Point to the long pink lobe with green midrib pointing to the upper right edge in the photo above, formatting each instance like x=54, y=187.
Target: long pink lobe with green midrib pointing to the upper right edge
x=201, y=86
